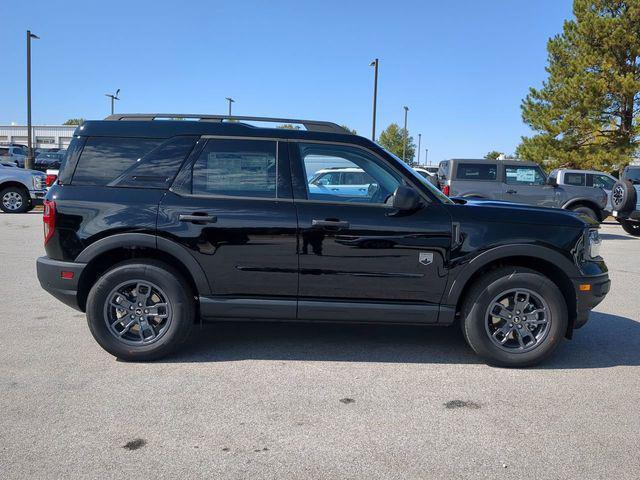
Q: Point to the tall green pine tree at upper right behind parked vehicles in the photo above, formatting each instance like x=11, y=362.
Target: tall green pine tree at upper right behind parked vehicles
x=586, y=113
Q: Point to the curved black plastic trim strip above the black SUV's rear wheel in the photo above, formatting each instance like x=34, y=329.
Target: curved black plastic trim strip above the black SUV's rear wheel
x=147, y=240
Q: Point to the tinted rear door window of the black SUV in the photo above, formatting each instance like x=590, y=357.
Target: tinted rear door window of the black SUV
x=241, y=168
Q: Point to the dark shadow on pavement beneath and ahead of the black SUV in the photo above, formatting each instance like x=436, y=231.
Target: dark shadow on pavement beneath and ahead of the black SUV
x=605, y=341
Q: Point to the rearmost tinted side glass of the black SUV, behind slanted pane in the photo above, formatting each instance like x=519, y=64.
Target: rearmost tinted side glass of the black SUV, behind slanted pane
x=104, y=159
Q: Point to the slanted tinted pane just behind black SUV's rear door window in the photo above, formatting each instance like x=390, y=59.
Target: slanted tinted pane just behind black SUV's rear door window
x=158, y=168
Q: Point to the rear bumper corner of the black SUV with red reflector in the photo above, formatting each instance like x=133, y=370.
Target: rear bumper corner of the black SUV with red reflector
x=50, y=278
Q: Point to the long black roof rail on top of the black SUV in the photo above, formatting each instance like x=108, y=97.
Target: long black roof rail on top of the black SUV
x=310, y=125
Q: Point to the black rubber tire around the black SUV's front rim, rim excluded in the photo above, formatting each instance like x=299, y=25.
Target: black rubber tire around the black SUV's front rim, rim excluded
x=492, y=285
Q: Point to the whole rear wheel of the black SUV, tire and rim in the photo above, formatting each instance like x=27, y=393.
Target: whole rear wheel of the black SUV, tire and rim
x=140, y=310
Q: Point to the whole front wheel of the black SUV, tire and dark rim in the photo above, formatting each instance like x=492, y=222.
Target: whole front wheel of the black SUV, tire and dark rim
x=514, y=317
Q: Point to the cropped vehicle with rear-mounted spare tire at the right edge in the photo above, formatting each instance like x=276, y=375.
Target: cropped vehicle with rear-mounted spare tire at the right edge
x=625, y=200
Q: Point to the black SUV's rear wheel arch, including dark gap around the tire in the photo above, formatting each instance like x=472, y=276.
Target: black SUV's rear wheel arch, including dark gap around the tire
x=104, y=253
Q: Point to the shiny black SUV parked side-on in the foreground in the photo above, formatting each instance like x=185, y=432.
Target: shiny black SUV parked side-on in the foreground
x=158, y=221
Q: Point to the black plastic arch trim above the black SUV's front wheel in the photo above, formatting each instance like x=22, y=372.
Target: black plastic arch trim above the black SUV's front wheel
x=535, y=252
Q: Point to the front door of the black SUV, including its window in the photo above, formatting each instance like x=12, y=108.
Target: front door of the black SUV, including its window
x=360, y=259
